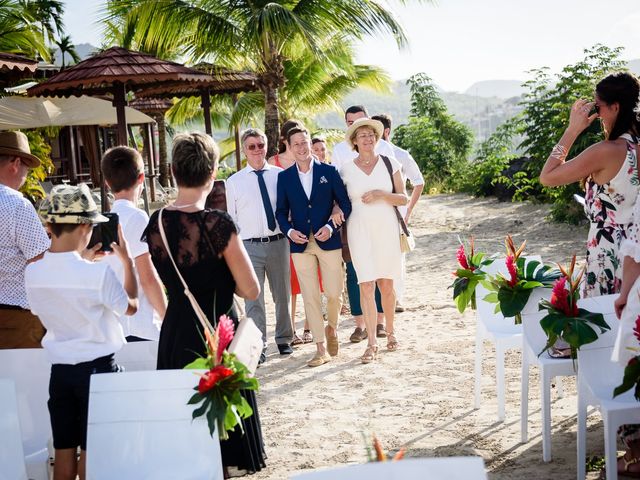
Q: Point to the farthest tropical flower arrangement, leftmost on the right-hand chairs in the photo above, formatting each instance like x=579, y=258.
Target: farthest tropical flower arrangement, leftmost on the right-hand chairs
x=468, y=275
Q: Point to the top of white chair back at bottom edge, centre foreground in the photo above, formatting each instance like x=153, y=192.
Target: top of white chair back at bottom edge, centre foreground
x=443, y=468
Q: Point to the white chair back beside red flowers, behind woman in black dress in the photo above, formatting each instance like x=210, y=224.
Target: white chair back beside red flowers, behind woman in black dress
x=140, y=427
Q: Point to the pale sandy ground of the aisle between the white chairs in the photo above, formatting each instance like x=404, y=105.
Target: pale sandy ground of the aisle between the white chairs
x=421, y=396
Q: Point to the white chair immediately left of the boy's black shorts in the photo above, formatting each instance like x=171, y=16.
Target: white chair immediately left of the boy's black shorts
x=29, y=369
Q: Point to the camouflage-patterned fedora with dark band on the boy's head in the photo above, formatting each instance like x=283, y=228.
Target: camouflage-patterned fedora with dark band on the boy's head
x=72, y=204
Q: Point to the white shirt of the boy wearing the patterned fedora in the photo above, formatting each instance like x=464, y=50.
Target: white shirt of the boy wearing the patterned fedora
x=79, y=303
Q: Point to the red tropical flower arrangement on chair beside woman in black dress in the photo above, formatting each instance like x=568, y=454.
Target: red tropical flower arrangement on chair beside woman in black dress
x=219, y=387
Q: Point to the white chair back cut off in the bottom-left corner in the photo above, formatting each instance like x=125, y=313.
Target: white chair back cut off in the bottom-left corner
x=12, y=465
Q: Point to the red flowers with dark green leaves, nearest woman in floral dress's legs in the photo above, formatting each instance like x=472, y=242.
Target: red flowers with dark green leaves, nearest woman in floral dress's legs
x=564, y=320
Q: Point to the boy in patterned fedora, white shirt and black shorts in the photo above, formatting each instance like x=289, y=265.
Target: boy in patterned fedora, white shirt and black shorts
x=78, y=302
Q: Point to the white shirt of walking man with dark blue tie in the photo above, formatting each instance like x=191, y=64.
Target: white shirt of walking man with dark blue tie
x=244, y=201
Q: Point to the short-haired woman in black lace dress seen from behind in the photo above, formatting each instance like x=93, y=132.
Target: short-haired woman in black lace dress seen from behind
x=213, y=261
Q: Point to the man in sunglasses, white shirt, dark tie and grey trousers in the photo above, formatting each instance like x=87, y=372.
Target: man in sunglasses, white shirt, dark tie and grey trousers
x=251, y=202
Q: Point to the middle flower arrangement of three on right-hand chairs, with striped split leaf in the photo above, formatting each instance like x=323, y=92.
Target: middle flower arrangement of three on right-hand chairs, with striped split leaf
x=511, y=293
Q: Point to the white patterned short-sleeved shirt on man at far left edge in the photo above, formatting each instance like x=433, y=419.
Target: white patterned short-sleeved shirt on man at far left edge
x=22, y=237
